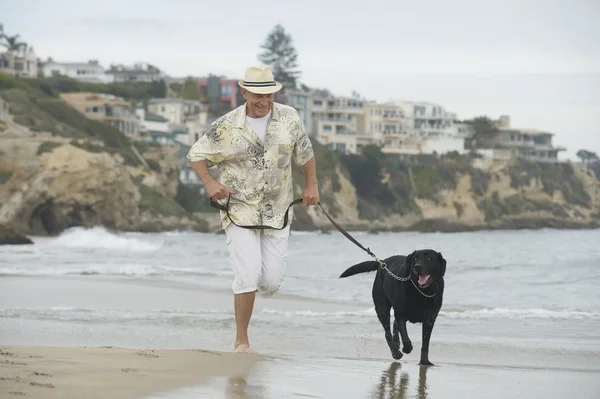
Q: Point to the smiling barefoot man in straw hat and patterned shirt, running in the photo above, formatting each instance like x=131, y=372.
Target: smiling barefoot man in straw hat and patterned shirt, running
x=252, y=147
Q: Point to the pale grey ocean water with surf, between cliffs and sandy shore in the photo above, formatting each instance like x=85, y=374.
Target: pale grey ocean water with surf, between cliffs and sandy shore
x=515, y=298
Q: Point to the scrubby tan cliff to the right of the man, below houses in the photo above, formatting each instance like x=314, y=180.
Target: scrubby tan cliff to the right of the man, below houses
x=454, y=192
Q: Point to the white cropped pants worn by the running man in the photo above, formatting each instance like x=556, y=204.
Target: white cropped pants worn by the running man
x=258, y=260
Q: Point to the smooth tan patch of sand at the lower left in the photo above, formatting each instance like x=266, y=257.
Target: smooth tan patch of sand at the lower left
x=70, y=372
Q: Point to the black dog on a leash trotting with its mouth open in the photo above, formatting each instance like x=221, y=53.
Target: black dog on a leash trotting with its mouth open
x=416, y=295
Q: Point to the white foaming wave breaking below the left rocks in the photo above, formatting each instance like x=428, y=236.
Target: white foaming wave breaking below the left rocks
x=100, y=238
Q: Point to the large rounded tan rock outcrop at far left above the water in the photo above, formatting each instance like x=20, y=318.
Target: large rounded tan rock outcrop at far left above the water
x=71, y=187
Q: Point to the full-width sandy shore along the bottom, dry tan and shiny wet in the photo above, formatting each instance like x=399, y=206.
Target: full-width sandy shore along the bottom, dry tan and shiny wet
x=69, y=373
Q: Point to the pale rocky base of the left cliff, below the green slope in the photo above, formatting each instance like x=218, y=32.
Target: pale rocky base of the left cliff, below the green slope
x=66, y=186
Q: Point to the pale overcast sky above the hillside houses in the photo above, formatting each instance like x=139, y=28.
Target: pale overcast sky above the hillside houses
x=537, y=61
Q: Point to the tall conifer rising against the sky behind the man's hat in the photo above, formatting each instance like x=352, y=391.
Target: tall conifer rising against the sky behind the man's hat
x=280, y=54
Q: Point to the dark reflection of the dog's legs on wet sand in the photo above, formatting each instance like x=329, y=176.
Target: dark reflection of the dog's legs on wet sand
x=390, y=388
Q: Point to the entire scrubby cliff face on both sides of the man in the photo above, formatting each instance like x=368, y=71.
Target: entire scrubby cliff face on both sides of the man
x=59, y=169
